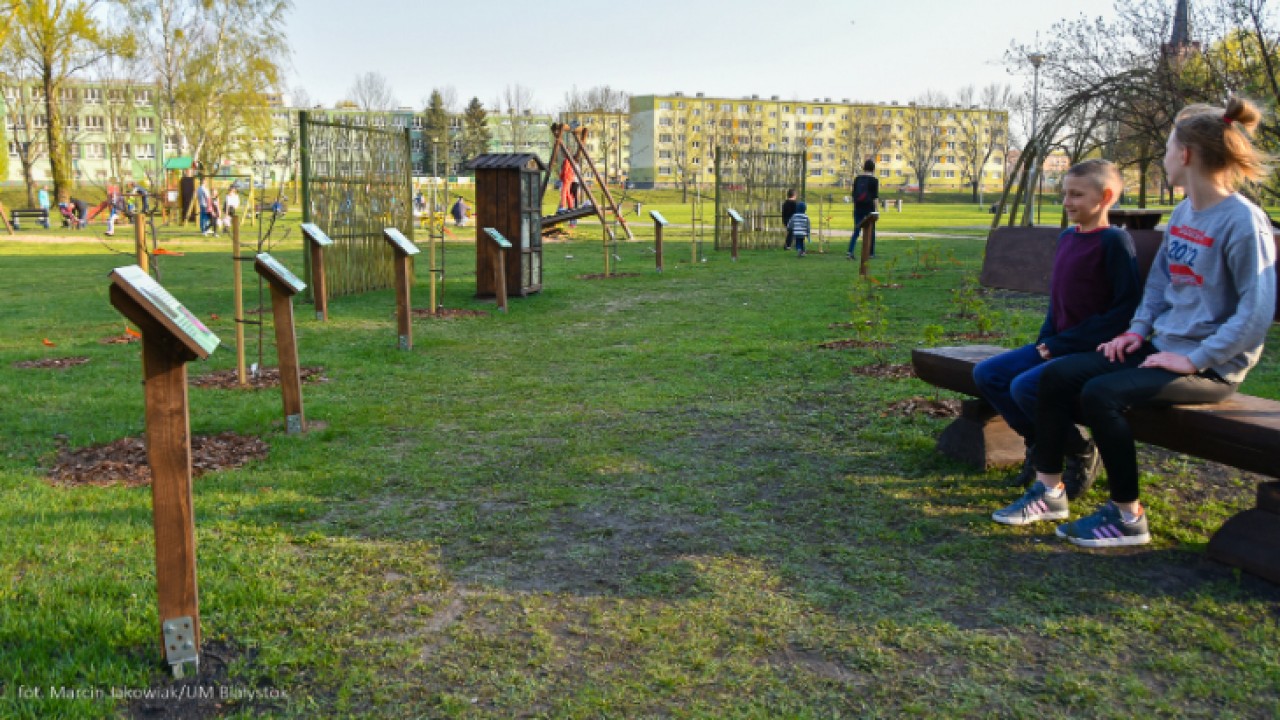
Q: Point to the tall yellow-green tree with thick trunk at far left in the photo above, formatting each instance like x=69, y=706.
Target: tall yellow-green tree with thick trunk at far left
x=57, y=40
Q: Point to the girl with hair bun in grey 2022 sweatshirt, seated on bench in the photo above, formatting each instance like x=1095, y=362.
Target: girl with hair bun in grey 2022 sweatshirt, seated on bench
x=1205, y=313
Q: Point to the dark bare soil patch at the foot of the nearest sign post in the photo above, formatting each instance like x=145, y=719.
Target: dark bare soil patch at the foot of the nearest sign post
x=212, y=692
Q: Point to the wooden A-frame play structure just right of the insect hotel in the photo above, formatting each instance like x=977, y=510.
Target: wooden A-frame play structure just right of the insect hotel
x=570, y=158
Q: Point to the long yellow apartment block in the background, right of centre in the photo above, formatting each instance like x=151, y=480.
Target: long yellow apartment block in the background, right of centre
x=674, y=139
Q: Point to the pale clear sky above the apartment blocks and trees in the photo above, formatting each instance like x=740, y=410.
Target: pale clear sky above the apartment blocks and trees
x=866, y=51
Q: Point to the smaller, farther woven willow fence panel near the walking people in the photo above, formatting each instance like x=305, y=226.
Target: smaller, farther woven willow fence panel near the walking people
x=756, y=183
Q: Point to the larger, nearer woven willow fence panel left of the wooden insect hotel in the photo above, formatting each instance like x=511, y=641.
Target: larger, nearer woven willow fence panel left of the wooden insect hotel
x=356, y=181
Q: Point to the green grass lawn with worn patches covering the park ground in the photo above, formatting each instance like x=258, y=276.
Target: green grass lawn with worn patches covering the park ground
x=643, y=496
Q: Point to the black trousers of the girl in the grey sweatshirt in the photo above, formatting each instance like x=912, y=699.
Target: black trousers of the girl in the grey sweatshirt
x=1103, y=391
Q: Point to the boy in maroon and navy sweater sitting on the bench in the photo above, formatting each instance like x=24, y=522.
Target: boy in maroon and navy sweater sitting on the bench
x=1095, y=290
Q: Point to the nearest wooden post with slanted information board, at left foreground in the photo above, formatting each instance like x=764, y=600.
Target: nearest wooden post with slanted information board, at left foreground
x=171, y=338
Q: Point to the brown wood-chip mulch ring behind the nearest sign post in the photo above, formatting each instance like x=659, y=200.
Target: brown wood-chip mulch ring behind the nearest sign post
x=125, y=462
